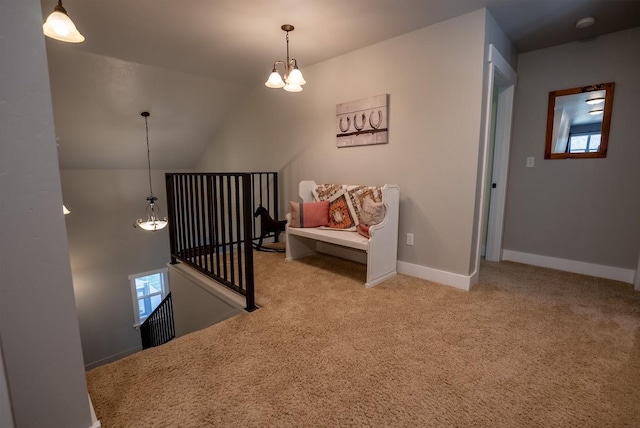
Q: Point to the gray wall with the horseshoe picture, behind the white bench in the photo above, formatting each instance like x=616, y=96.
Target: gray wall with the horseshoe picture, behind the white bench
x=435, y=80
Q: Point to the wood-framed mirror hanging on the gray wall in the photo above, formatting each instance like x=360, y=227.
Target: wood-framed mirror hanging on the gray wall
x=578, y=121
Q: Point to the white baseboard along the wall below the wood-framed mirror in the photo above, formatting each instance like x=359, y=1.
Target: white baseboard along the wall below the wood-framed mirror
x=600, y=271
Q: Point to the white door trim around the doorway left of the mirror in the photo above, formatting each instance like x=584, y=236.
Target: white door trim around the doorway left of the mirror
x=501, y=74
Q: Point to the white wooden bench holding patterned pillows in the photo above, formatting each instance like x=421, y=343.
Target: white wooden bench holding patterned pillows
x=381, y=248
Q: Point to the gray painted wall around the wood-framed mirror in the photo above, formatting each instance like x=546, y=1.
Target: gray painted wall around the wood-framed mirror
x=577, y=209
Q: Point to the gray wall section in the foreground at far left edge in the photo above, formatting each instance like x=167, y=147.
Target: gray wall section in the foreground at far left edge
x=39, y=333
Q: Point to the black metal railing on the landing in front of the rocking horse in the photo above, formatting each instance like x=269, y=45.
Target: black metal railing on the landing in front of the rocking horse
x=210, y=227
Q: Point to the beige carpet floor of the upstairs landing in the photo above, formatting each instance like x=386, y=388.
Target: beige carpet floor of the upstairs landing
x=527, y=347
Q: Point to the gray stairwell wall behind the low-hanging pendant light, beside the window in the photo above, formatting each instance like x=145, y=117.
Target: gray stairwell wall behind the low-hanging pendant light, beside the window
x=103, y=255
